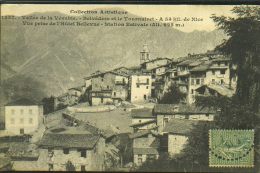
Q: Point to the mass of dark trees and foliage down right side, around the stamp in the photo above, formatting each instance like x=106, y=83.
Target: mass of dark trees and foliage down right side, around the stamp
x=239, y=112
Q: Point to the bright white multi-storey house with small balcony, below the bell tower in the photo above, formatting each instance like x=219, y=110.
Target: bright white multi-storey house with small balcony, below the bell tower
x=140, y=87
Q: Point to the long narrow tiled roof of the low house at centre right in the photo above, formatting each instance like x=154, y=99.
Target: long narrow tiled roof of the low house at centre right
x=180, y=109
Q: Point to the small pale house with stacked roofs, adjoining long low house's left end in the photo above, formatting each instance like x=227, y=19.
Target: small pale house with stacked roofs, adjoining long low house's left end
x=143, y=119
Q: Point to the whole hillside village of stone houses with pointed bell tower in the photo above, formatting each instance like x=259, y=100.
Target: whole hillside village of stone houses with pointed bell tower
x=115, y=120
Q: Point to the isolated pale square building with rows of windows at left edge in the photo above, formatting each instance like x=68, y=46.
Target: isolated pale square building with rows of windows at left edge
x=23, y=116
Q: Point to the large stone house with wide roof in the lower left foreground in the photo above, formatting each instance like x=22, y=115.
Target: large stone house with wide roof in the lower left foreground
x=62, y=145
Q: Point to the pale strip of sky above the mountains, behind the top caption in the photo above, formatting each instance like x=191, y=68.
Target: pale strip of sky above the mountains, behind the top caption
x=199, y=11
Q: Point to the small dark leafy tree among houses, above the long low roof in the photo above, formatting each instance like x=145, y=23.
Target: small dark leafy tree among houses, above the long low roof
x=172, y=96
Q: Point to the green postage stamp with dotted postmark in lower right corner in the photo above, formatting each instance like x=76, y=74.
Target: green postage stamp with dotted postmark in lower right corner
x=231, y=148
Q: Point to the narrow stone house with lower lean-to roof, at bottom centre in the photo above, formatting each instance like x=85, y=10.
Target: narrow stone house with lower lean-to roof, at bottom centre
x=145, y=146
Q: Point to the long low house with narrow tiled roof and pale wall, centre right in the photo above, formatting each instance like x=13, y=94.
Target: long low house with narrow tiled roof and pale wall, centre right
x=165, y=112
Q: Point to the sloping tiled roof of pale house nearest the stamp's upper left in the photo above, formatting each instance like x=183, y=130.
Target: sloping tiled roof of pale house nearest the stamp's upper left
x=180, y=126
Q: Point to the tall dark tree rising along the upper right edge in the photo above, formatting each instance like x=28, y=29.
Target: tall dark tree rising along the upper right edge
x=243, y=45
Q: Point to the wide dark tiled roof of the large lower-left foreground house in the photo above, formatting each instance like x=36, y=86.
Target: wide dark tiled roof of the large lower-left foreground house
x=69, y=140
